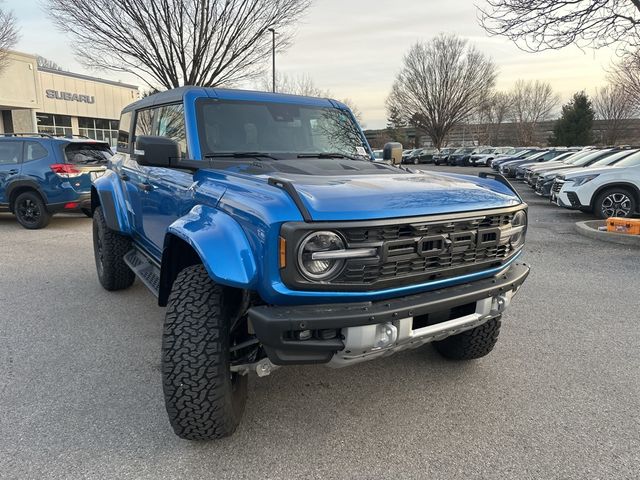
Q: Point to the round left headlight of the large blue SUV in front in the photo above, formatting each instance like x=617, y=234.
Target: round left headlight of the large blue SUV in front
x=321, y=241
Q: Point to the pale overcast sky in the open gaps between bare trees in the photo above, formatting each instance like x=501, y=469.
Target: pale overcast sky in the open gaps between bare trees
x=354, y=48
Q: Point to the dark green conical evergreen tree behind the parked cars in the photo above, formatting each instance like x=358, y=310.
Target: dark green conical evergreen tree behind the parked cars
x=574, y=127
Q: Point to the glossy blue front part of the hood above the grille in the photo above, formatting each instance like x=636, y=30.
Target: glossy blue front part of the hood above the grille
x=337, y=198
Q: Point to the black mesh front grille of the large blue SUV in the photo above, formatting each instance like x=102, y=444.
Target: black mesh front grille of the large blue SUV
x=416, y=251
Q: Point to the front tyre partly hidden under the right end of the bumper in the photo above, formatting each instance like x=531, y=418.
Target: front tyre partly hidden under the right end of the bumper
x=474, y=343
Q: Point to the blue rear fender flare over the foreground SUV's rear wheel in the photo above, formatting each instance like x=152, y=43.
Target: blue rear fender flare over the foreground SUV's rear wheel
x=106, y=192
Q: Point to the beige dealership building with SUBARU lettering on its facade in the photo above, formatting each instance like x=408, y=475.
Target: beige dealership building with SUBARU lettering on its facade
x=39, y=100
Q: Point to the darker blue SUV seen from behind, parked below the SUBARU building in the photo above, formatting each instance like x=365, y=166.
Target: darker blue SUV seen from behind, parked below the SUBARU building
x=41, y=175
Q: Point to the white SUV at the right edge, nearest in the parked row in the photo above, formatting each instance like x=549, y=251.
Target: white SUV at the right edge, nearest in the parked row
x=607, y=192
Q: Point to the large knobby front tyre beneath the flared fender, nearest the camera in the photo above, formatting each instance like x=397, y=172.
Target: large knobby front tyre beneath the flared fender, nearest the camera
x=204, y=399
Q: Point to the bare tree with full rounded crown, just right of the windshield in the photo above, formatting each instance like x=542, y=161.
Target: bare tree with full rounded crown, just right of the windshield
x=440, y=84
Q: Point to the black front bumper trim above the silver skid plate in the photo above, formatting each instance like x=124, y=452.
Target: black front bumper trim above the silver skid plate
x=271, y=323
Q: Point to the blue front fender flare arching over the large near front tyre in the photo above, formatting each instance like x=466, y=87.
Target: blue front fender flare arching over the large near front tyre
x=220, y=243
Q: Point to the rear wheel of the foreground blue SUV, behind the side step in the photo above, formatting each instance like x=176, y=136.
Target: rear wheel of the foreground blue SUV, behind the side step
x=109, y=249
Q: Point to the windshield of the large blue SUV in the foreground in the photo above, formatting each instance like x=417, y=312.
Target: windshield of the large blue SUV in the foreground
x=227, y=127
